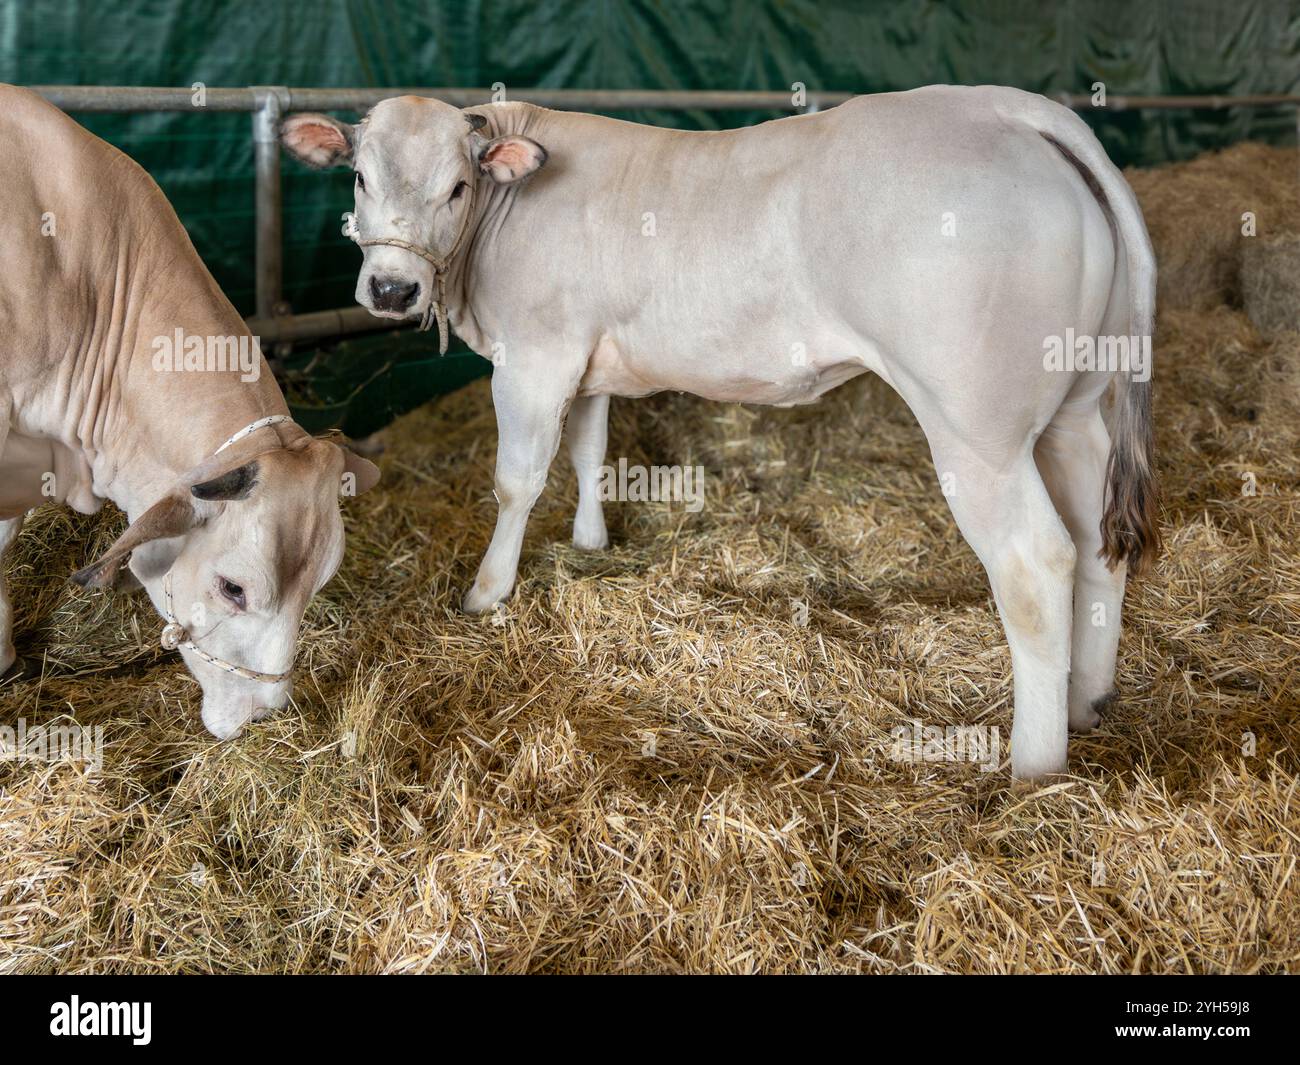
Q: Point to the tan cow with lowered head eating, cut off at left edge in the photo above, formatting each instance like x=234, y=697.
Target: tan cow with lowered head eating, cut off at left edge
x=127, y=375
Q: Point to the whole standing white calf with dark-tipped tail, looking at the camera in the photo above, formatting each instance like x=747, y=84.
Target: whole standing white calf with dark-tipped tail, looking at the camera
x=957, y=243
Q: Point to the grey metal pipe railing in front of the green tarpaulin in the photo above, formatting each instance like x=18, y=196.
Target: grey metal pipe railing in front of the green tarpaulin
x=268, y=105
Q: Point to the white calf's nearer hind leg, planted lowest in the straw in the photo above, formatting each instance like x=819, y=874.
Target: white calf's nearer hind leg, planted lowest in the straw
x=1008, y=518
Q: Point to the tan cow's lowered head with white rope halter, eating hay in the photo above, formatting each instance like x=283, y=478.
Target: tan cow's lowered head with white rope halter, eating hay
x=242, y=542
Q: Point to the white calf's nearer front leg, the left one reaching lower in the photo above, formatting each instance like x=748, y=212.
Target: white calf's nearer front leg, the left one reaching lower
x=531, y=409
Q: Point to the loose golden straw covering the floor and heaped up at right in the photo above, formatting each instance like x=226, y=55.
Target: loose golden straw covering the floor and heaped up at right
x=648, y=764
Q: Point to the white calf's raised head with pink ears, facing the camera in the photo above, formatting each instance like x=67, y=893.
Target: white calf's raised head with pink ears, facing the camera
x=421, y=166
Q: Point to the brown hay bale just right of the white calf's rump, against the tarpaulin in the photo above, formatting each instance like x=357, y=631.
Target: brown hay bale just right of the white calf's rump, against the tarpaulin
x=1195, y=218
